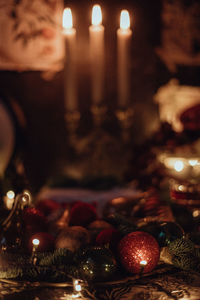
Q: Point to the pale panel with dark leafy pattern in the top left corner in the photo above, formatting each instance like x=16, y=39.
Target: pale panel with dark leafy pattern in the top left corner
x=31, y=35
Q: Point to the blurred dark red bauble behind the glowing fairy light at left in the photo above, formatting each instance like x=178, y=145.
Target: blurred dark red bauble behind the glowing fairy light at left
x=46, y=242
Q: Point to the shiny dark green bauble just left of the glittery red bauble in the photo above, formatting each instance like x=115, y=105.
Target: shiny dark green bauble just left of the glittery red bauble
x=97, y=264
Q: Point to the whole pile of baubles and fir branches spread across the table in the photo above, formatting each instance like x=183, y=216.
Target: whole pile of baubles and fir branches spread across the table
x=75, y=242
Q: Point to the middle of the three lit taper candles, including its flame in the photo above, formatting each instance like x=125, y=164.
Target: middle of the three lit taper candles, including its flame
x=96, y=31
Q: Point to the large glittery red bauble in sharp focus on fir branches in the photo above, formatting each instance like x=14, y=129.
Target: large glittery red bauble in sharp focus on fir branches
x=138, y=247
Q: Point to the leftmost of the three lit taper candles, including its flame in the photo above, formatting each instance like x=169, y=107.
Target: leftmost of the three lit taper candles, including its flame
x=70, y=88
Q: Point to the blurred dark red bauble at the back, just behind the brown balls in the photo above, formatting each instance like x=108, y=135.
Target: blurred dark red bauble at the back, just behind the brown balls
x=82, y=214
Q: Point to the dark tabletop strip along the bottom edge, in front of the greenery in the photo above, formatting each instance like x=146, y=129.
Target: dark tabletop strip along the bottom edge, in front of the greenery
x=171, y=284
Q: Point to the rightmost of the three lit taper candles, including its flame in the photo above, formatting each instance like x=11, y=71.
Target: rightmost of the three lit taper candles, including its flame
x=124, y=34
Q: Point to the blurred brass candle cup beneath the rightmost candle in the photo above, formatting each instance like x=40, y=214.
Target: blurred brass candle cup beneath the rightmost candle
x=125, y=119
